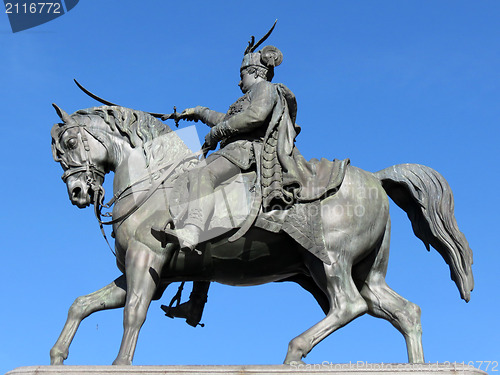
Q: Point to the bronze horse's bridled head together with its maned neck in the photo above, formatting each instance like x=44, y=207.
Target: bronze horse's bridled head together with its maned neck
x=92, y=142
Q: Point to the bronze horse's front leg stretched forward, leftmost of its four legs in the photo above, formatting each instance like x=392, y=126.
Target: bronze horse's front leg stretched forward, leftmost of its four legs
x=111, y=296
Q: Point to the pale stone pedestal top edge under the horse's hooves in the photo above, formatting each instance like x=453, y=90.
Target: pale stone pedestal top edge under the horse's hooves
x=316, y=369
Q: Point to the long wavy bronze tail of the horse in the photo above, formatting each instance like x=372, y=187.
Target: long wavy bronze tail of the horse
x=427, y=199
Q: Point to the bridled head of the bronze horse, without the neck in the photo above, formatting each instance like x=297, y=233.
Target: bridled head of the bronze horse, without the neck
x=82, y=155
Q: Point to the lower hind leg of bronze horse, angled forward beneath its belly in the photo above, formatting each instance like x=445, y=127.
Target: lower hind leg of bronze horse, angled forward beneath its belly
x=346, y=304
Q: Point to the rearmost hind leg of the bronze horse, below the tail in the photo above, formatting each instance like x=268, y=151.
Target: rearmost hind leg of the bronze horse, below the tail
x=385, y=303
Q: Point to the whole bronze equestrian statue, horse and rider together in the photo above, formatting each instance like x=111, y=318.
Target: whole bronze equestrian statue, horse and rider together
x=296, y=222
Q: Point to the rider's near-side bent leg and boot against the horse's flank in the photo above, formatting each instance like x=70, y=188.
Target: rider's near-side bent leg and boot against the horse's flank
x=202, y=182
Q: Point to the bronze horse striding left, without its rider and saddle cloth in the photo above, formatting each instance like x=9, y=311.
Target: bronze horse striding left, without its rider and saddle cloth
x=138, y=148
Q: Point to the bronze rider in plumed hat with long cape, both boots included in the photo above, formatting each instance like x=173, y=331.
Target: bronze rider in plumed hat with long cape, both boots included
x=258, y=131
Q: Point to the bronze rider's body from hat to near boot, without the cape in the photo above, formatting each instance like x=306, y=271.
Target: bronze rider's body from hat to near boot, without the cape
x=241, y=132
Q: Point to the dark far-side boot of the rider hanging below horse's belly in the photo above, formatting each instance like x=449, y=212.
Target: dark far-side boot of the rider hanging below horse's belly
x=191, y=310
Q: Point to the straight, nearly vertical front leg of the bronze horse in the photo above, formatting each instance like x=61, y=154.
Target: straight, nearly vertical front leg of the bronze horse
x=143, y=269
